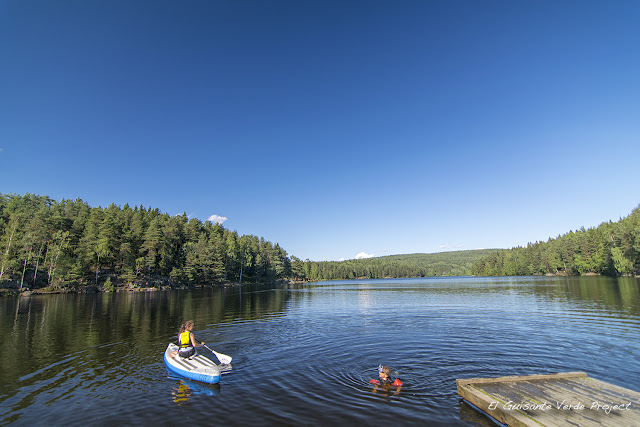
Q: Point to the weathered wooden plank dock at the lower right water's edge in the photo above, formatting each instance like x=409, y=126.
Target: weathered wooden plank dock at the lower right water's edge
x=564, y=399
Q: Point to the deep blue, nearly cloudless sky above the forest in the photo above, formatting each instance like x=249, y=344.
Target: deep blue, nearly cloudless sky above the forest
x=330, y=127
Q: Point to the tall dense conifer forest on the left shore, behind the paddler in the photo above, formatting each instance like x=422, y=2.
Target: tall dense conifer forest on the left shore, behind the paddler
x=48, y=243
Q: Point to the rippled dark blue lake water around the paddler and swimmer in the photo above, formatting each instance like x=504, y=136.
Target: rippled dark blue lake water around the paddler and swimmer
x=304, y=355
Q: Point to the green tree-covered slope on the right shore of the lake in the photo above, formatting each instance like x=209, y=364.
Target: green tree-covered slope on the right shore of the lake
x=612, y=249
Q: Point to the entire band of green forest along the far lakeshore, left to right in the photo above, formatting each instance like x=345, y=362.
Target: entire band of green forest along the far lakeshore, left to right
x=49, y=244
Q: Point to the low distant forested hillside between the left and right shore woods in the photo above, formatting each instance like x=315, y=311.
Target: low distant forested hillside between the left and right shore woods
x=457, y=263
